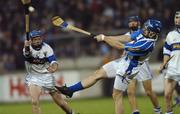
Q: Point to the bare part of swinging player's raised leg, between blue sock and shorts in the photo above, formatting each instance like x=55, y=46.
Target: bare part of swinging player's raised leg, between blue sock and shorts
x=92, y=79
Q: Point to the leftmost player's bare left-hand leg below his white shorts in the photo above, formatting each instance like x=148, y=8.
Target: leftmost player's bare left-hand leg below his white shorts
x=35, y=92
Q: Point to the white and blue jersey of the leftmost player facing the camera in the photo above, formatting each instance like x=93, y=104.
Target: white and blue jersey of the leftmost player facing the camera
x=39, y=61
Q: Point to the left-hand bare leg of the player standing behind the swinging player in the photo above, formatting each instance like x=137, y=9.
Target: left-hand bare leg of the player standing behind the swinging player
x=132, y=95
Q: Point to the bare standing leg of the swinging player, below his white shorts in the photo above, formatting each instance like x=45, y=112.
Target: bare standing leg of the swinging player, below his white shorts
x=118, y=97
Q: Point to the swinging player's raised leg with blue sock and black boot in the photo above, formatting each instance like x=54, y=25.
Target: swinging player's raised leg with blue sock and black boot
x=106, y=71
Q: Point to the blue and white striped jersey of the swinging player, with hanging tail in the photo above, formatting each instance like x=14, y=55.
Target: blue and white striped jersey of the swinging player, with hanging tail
x=138, y=50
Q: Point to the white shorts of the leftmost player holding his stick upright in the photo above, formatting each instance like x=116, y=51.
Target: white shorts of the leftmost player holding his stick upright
x=45, y=81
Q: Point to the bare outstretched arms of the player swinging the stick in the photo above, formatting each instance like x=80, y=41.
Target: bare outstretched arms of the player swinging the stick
x=114, y=41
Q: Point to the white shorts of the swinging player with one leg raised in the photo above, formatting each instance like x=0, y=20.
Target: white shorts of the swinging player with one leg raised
x=119, y=69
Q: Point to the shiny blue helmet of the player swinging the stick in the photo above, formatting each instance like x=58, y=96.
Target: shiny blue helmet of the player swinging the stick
x=153, y=25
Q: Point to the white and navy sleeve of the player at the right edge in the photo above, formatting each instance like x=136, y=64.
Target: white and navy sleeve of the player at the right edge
x=167, y=46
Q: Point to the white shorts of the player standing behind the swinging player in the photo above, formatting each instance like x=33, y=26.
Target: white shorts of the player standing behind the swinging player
x=145, y=72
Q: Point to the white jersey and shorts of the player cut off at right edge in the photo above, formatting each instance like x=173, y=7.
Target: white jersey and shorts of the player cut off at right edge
x=172, y=49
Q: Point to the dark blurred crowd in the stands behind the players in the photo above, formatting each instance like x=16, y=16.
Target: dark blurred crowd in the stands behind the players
x=97, y=16
